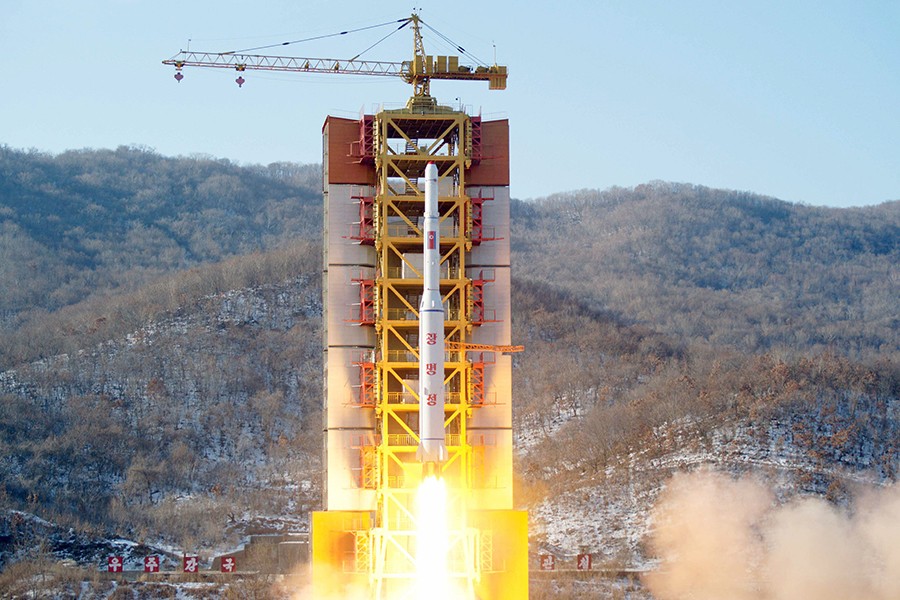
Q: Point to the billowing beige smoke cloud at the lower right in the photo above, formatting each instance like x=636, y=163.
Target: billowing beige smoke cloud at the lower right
x=726, y=539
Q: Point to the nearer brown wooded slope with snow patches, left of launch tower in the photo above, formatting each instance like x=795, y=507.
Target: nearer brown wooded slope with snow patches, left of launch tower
x=206, y=413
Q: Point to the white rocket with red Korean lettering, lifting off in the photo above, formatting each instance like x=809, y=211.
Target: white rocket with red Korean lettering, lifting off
x=432, y=451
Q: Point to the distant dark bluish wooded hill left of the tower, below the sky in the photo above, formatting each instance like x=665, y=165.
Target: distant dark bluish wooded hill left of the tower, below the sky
x=89, y=221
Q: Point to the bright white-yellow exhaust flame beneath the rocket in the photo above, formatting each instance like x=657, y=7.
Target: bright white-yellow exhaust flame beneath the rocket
x=433, y=545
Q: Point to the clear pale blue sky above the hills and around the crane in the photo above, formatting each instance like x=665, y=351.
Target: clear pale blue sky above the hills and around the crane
x=797, y=100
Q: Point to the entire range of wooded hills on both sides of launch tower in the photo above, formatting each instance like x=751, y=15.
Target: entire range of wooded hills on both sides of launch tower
x=160, y=374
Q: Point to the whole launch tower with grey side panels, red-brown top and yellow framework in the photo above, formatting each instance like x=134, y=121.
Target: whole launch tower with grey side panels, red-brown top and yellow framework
x=374, y=203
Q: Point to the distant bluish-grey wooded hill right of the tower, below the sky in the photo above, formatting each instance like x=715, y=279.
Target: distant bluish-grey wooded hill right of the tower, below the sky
x=721, y=267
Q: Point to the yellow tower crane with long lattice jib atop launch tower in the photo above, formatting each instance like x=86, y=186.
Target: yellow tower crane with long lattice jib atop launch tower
x=419, y=71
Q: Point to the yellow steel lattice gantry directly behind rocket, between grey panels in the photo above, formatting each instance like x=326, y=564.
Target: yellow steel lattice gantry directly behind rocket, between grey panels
x=406, y=140
